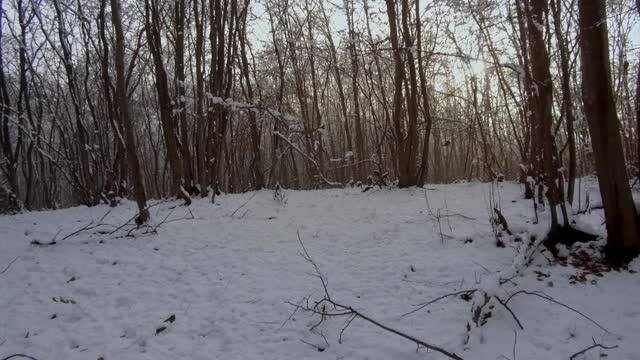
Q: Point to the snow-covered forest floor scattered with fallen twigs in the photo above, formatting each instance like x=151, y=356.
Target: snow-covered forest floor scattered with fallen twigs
x=229, y=274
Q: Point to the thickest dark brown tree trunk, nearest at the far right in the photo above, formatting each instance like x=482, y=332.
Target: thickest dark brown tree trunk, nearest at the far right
x=623, y=242
